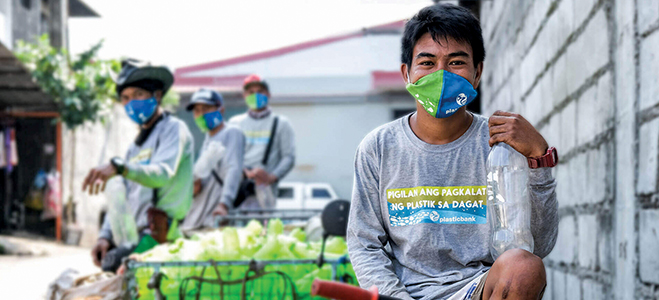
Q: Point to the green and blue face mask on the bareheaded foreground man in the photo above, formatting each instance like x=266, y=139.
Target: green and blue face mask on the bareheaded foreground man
x=442, y=93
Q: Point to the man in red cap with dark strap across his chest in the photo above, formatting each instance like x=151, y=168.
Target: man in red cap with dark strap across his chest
x=265, y=165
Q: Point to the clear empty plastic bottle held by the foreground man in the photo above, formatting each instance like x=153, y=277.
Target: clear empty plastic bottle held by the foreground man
x=508, y=201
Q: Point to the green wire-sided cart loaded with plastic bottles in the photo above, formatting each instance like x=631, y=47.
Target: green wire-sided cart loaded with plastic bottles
x=253, y=280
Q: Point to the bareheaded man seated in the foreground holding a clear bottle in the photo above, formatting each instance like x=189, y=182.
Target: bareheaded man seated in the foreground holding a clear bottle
x=417, y=226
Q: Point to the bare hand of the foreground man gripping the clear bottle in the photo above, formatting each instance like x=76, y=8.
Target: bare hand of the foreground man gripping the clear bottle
x=517, y=132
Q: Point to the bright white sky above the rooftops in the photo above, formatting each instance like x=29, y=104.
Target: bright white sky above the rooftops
x=182, y=33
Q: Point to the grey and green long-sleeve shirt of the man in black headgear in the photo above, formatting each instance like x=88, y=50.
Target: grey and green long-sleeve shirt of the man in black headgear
x=164, y=161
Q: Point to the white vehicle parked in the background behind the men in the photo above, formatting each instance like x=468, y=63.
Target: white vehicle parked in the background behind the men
x=299, y=195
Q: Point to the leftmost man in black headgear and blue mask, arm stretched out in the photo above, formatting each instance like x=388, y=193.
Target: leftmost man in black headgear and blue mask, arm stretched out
x=157, y=169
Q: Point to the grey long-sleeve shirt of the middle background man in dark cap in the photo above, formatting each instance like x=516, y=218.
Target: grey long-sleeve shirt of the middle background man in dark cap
x=229, y=169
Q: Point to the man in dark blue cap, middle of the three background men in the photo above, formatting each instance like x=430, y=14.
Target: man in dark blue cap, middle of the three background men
x=219, y=168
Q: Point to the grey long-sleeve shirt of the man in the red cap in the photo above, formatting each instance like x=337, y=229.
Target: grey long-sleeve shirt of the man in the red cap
x=257, y=136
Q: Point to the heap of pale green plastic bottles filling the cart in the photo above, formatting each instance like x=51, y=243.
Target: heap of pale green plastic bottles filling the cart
x=244, y=244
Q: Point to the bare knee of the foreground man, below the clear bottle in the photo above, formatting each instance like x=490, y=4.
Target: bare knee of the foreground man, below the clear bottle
x=522, y=273
